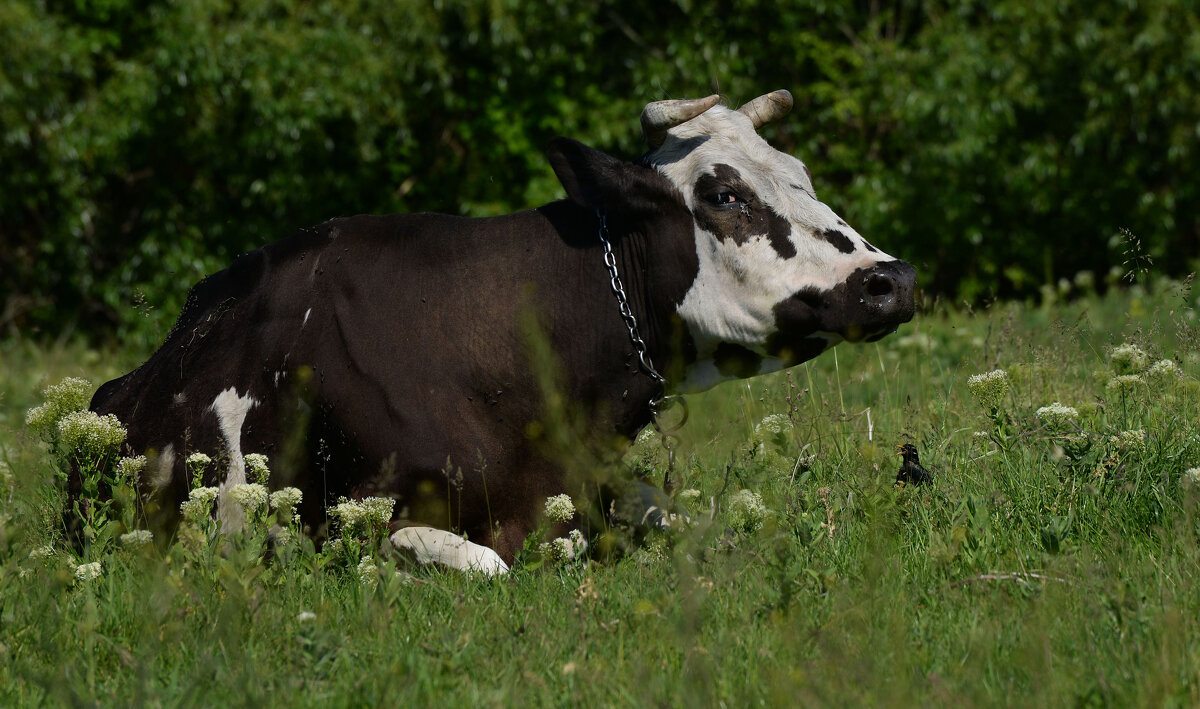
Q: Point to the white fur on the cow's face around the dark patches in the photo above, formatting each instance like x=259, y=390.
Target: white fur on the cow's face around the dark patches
x=739, y=286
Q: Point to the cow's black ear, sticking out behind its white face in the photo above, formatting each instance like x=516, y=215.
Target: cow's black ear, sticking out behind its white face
x=598, y=181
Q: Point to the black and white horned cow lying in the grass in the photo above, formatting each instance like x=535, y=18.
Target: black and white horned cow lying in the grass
x=373, y=356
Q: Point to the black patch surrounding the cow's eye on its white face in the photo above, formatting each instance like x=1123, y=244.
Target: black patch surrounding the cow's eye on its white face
x=742, y=220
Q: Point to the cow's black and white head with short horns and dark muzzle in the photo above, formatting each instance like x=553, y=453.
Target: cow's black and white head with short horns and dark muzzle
x=781, y=277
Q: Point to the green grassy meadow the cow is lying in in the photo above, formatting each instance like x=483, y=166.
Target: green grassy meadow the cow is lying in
x=1036, y=570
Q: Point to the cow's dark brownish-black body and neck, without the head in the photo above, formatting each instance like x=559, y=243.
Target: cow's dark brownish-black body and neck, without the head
x=415, y=359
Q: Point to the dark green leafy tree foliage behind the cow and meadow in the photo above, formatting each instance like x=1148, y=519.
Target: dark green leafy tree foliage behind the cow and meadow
x=995, y=145
